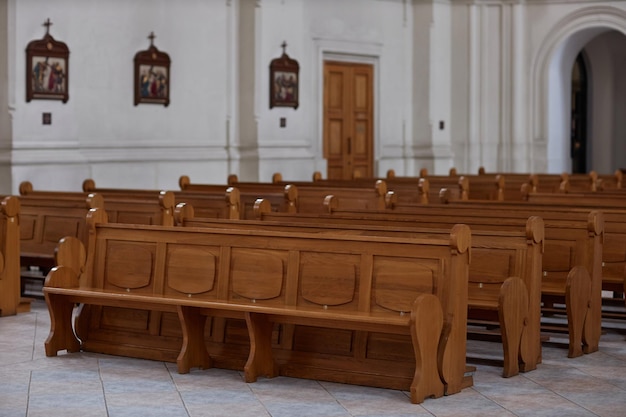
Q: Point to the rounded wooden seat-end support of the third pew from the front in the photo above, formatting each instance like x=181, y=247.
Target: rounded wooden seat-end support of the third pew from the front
x=577, y=300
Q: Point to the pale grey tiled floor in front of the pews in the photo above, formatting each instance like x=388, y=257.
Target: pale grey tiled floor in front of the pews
x=85, y=384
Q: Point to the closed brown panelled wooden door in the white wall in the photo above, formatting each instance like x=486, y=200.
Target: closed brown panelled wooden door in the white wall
x=348, y=120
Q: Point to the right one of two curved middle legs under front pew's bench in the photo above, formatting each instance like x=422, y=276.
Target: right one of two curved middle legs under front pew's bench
x=260, y=360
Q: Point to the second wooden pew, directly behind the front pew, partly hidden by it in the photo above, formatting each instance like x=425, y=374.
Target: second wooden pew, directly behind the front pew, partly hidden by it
x=504, y=276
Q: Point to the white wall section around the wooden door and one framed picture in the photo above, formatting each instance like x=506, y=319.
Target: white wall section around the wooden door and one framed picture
x=370, y=31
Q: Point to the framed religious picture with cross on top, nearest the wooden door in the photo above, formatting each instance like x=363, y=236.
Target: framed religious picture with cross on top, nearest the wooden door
x=284, y=81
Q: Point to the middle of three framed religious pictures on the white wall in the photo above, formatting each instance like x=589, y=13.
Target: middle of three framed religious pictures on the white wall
x=152, y=76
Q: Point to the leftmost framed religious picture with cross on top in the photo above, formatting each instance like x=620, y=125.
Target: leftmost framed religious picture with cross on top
x=47, y=68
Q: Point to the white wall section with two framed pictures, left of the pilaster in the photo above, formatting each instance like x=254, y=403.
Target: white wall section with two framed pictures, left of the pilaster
x=99, y=132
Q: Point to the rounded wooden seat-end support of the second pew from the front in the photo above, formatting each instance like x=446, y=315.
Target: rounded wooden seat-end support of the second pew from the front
x=513, y=314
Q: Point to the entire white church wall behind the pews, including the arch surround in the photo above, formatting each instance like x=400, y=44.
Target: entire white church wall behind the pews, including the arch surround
x=480, y=66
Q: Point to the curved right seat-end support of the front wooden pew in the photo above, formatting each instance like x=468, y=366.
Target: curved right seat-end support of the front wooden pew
x=426, y=328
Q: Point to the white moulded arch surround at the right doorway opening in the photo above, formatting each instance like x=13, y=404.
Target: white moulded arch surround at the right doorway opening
x=551, y=81
